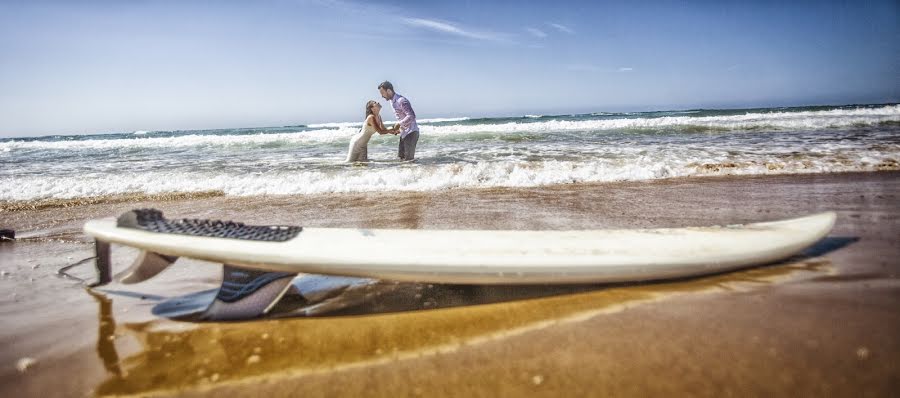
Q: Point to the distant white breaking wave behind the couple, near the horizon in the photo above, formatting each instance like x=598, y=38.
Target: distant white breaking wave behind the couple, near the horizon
x=334, y=132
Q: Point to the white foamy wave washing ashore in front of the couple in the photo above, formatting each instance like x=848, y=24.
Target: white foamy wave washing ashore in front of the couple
x=413, y=177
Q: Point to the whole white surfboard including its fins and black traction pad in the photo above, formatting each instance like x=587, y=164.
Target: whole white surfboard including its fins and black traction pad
x=261, y=261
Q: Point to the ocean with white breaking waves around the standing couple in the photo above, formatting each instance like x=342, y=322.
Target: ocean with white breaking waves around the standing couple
x=524, y=151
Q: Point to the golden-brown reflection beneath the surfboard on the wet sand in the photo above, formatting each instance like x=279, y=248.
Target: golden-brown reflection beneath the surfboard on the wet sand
x=173, y=359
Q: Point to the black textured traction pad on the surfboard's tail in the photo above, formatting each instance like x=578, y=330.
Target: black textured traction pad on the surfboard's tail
x=152, y=220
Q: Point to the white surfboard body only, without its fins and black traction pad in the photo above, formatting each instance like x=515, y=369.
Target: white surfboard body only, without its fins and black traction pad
x=494, y=257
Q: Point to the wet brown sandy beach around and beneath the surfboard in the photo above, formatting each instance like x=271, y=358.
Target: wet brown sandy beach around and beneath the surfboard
x=821, y=324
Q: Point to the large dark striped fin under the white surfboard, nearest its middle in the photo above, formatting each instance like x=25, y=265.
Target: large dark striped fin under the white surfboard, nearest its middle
x=247, y=293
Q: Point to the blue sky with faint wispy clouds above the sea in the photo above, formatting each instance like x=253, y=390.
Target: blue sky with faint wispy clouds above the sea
x=76, y=67
